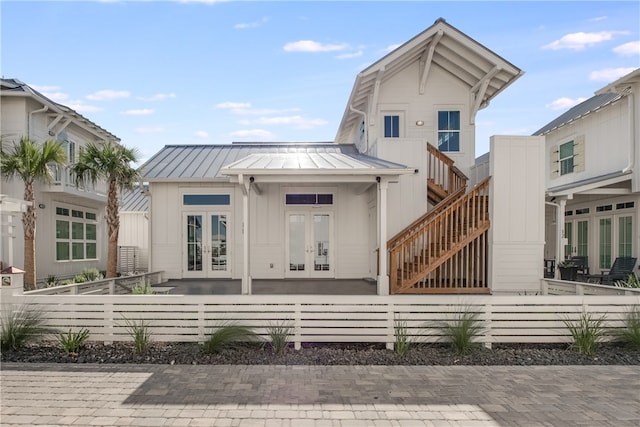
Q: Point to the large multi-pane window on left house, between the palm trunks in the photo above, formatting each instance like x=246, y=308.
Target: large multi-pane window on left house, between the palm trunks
x=76, y=234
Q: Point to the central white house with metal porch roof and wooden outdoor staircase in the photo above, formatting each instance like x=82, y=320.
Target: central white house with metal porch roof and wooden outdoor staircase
x=387, y=199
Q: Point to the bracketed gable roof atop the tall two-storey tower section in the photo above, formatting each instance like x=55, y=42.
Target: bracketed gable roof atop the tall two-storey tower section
x=486, y=73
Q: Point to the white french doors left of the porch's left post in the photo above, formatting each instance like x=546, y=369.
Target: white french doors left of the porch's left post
x=205, y=239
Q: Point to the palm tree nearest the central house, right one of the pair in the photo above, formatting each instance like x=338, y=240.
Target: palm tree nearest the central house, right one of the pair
x=110, y=162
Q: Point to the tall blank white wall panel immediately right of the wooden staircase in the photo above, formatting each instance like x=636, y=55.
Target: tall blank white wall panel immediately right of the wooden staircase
x=517, y=209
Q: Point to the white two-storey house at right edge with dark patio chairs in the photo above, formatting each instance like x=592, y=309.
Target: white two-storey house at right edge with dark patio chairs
x=593, y=177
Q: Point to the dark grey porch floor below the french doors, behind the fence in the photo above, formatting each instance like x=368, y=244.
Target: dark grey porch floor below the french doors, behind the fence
x=272, y=287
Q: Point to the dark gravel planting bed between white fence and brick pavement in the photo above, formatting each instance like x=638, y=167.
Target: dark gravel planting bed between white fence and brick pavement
x=327, y=354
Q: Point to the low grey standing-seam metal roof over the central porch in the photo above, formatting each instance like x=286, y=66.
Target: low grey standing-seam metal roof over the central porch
x=211, y=162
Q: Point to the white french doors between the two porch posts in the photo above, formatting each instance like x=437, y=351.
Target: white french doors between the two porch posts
x=309, y=244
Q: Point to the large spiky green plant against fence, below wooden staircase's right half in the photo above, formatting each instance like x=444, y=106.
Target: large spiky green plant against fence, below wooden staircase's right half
x=463, y=330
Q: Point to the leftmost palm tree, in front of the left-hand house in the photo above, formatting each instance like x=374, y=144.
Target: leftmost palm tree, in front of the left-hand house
x=31, y=162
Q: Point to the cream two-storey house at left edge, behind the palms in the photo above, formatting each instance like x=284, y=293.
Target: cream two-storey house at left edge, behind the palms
x=71, y=234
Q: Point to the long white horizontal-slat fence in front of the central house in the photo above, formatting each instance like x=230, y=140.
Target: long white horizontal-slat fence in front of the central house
x=371, y=319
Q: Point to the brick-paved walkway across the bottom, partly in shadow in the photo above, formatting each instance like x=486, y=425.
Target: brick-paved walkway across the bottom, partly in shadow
x=332, y=396
